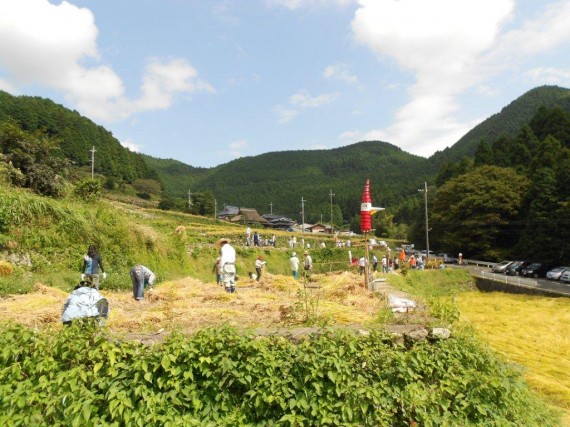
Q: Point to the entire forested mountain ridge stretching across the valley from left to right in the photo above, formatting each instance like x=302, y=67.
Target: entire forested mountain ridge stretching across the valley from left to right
x=279, y=181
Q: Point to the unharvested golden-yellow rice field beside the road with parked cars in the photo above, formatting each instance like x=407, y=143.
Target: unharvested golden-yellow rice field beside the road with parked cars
x=532, y=331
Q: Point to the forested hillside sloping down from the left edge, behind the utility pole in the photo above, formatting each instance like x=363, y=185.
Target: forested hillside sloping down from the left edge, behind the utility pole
x=77, y=135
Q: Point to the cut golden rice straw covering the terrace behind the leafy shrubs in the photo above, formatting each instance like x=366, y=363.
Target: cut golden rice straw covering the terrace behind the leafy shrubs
x=189, y=304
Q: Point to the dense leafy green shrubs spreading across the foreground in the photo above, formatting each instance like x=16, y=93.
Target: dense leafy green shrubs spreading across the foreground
x=221, y=378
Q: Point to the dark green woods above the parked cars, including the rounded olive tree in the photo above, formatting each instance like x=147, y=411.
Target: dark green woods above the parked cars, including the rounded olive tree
x=514, y=199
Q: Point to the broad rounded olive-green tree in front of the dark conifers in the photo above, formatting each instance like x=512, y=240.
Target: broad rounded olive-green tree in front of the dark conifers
x=472, y=212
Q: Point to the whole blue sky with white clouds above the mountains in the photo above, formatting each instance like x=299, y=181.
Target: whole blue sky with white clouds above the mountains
x=205, y=82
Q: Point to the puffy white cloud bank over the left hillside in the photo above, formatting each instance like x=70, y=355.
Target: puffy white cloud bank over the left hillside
x=44, y=44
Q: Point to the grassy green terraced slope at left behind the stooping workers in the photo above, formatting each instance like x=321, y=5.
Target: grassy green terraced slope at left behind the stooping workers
x=55, y=233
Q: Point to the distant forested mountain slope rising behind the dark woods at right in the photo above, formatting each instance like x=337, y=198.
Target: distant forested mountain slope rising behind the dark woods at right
x=505, y=123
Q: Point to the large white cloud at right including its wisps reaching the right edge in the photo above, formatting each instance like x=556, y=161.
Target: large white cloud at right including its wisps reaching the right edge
x=451, y=47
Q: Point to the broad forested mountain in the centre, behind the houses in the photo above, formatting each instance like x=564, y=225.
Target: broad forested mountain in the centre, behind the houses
x=283, y=178
